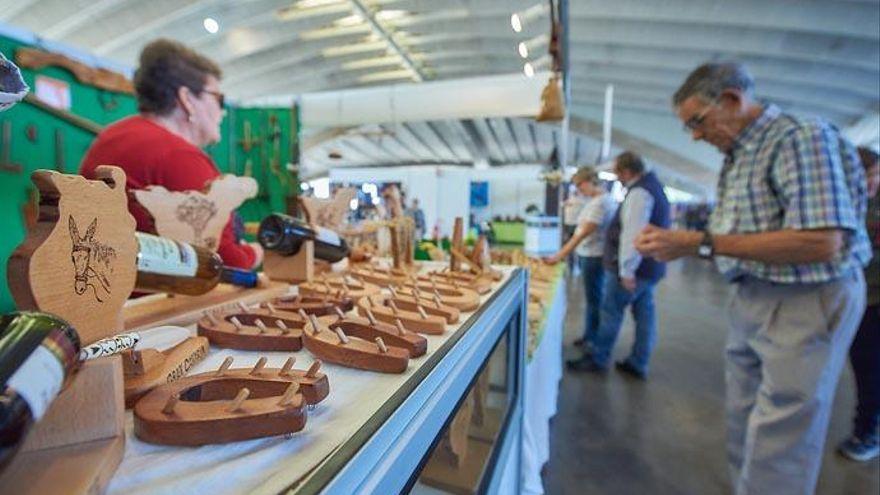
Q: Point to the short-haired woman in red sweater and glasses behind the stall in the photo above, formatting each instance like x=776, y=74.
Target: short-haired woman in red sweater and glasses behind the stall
x=181, y=106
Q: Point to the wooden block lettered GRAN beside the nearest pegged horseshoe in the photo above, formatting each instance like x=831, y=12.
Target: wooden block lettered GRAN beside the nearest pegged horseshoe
x=147, y=369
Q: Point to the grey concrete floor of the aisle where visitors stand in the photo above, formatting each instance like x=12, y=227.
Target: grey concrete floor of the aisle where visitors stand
x=618, y=436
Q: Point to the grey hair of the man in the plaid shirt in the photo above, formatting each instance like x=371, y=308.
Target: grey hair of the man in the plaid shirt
x=709, y=80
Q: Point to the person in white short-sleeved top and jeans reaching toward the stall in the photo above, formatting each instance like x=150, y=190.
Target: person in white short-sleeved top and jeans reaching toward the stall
x=588, y=240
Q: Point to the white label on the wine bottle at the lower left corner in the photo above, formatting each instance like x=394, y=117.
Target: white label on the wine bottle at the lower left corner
x=38, y=380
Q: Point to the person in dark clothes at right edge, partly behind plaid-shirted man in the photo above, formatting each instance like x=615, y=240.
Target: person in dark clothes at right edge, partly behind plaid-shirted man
x=864, y=353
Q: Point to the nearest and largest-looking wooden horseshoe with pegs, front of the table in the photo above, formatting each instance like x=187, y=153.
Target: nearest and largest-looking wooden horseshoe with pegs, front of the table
x=228, y=405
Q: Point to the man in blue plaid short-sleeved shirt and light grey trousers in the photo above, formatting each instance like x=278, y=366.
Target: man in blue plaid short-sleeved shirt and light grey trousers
x=788, y=230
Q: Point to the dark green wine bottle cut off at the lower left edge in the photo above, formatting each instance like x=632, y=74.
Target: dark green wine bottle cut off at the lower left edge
x=38, y=356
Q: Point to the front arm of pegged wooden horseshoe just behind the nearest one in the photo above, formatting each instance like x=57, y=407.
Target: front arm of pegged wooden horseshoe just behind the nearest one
x=335, y=346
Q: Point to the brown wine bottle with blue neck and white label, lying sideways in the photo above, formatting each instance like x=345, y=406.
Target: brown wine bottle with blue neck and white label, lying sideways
x=165, y=265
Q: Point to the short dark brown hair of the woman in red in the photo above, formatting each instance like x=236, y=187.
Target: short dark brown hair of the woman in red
x=165, y=67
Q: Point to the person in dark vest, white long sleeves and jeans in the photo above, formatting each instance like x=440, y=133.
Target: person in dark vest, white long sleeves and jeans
x=630, y=278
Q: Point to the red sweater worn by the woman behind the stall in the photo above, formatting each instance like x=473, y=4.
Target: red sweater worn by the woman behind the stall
x=151, y=155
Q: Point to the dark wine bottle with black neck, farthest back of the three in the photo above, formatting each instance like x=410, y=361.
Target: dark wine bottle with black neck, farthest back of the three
x=285, y=235
